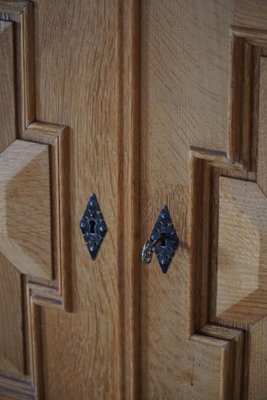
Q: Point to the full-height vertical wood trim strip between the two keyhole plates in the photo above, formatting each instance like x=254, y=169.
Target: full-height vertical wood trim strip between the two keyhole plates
x=128, y=150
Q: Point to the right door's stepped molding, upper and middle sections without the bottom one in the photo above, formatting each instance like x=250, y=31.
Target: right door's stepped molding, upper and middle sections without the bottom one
x=207, y=166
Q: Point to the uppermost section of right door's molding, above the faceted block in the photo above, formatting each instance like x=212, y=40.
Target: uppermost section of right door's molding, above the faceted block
x=243, y=96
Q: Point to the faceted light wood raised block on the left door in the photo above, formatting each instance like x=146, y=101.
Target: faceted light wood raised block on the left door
x=25, y=227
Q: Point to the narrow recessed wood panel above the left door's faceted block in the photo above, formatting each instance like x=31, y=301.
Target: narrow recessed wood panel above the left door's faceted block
x=7, y=88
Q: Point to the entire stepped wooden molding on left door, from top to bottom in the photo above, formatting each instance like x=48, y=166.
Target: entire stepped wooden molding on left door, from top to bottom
x=38, y=291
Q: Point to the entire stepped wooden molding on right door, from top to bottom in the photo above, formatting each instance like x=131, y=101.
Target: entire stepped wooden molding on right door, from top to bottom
x=244, y=161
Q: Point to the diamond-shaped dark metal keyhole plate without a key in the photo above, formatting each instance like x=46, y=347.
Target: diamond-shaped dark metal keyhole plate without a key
x=93, y=226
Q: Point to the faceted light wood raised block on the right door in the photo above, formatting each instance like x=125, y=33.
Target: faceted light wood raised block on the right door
x=242, y=248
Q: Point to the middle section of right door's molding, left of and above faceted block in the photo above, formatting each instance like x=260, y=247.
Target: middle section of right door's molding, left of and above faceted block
x=206, y=168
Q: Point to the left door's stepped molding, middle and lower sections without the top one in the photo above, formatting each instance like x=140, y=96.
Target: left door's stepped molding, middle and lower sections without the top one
x=39, y=292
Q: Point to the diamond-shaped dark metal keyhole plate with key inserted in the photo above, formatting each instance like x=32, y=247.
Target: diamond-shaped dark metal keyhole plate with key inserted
x=163, y=241
